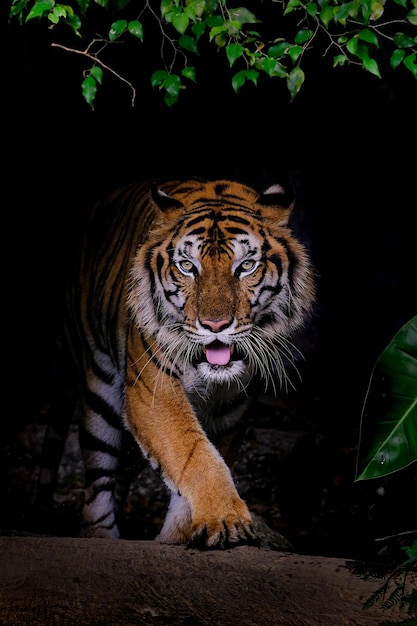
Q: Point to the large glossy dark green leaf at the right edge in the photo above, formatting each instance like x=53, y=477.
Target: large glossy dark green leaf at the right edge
x=388, y=440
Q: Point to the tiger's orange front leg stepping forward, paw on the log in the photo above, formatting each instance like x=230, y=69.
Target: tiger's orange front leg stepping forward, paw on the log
x=205, y=510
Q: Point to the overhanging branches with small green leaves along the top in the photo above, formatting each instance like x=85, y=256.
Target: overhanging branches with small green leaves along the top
x=360, y=32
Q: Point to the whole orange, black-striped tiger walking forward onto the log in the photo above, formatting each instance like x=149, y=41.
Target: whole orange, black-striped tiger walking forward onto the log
x=185, y=300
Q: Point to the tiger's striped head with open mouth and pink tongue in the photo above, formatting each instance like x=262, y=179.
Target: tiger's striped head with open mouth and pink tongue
x=219, y=282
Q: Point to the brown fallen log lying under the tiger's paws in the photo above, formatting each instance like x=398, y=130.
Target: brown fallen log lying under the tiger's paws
x=47, y=581
